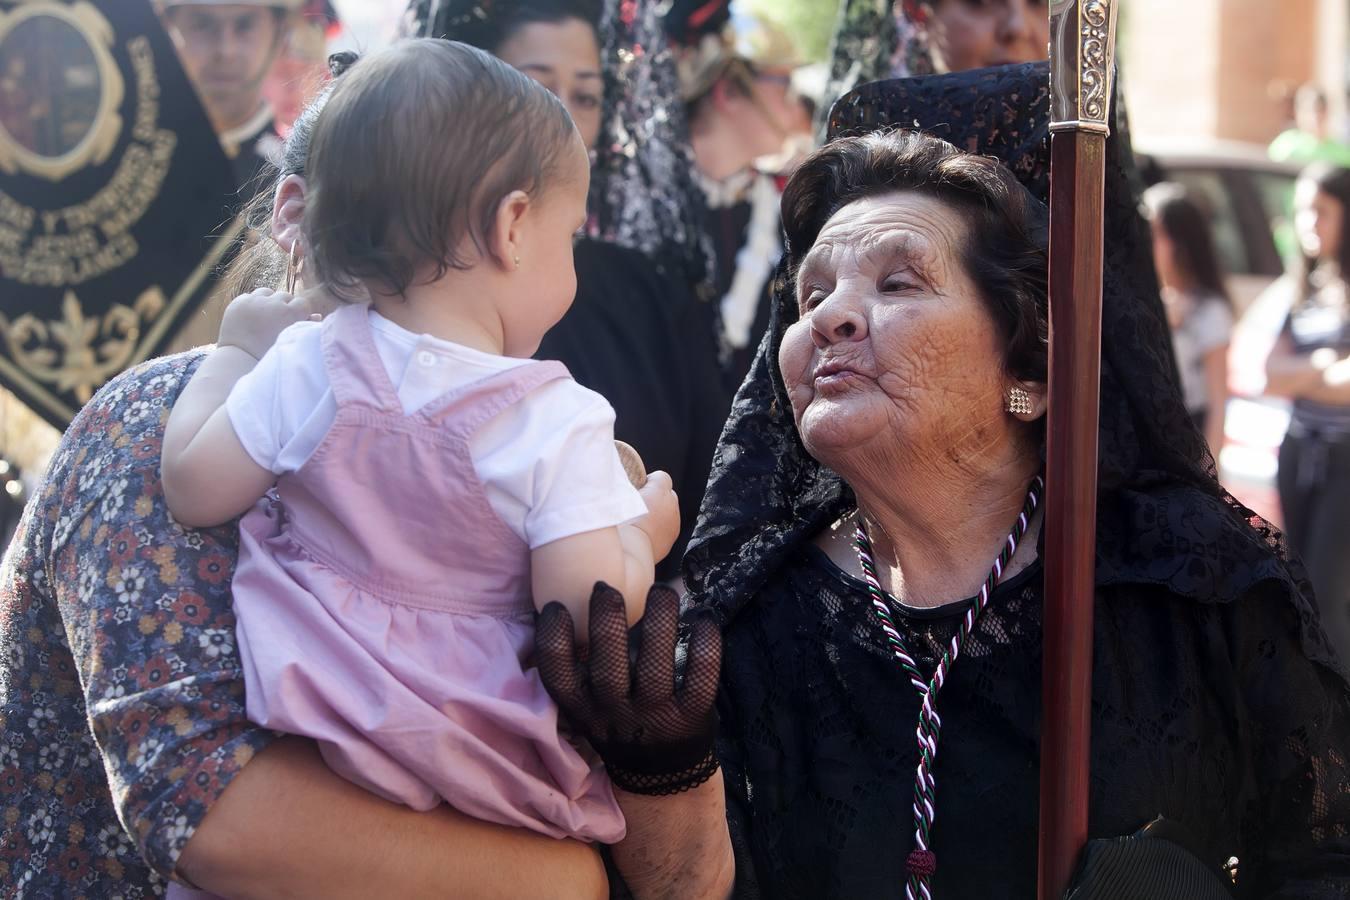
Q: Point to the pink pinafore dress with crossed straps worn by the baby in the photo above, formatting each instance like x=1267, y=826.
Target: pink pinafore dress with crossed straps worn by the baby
x=384, y=609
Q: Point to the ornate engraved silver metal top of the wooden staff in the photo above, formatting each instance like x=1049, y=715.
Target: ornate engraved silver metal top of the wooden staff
x=1082, y=64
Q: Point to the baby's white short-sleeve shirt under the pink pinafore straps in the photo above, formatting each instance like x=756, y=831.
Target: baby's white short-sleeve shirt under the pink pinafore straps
x=547, y=463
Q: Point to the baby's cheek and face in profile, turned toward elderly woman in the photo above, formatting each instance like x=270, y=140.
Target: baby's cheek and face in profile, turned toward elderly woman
x=547, y=276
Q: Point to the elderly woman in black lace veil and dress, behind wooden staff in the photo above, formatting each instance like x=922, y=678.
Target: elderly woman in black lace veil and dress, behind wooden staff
x=870, y=543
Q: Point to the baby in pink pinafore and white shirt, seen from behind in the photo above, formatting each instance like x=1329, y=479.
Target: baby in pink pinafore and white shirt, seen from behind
x=434, y=485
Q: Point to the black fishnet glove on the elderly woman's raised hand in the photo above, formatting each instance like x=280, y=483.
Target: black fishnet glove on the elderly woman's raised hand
x=654, y=728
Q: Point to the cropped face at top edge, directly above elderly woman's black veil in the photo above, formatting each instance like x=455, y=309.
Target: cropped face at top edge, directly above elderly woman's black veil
x=975, y=34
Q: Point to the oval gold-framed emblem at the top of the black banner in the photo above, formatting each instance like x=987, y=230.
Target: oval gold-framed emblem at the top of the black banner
x=76, y=144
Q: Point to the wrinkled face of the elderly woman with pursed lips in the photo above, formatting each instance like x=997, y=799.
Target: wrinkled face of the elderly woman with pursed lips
x=894, y=346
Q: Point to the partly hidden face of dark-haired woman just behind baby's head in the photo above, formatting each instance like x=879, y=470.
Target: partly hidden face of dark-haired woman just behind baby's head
x=565, y=59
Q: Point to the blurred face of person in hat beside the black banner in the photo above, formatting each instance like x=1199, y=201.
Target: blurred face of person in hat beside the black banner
x=226, y=49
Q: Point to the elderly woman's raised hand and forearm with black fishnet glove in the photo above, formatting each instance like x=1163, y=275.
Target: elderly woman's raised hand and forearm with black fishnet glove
x=655, y=733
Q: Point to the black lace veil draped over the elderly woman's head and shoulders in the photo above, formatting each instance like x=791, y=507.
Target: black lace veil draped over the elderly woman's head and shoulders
x=1163, y=519
